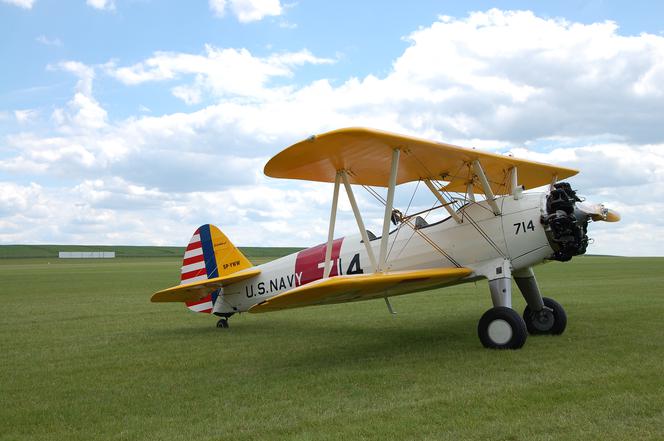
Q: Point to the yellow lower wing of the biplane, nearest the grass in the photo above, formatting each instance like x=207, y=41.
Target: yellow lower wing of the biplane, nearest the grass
x=360, y=287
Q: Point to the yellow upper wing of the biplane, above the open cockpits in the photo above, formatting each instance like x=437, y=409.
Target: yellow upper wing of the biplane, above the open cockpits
x=366, y=156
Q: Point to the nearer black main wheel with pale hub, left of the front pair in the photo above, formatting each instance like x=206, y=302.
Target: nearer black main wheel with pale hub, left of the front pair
x=502, y=328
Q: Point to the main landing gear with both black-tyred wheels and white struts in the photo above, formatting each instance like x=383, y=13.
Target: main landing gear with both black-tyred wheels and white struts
x=503, y=328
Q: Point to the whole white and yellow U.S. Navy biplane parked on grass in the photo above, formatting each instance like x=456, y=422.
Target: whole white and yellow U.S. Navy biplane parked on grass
x=493, y=230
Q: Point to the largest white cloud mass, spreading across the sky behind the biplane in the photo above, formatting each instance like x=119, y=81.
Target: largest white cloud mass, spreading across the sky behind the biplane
x=578, y=95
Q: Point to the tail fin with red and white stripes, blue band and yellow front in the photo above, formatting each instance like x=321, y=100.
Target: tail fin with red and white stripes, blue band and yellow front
x=210, y=254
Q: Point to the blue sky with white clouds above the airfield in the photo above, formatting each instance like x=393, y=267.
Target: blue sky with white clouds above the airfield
x=132, y=122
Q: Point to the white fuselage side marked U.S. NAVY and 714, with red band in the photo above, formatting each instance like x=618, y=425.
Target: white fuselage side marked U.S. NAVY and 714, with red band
x=481, y=242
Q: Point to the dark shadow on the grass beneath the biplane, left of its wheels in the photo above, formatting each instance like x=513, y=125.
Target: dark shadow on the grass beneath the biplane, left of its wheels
x=331, y=343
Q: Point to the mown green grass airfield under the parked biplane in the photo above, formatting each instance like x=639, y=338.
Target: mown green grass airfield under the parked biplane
x=86, y=356
